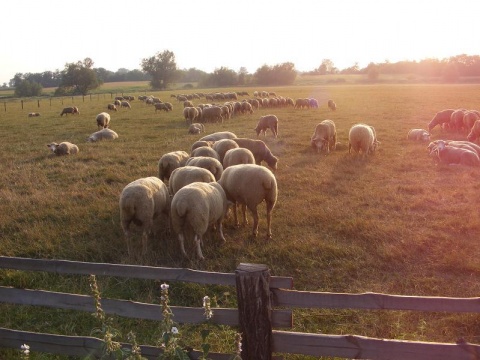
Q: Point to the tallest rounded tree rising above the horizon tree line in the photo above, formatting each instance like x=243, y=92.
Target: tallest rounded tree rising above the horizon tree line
x=161, y=67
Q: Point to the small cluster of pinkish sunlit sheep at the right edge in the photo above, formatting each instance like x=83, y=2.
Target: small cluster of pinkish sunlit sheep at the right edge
x=463, y=152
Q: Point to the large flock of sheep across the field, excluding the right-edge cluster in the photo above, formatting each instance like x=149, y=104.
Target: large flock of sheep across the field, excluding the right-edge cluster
x=194, y=190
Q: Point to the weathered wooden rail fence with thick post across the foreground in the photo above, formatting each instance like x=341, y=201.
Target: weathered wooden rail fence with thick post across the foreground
x=259, y=296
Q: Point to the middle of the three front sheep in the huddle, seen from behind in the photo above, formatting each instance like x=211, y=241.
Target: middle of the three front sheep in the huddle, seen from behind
x=196, y=207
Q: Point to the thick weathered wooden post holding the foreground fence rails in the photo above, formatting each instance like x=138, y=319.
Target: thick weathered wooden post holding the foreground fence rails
x=254, y=311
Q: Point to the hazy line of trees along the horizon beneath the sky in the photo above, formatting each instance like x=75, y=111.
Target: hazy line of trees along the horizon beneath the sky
x=161, y=70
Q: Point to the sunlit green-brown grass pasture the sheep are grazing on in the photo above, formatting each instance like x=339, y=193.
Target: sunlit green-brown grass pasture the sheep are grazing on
x=394, y=223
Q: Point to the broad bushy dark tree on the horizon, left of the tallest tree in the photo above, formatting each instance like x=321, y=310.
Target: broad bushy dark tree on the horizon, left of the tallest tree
x=79, y=77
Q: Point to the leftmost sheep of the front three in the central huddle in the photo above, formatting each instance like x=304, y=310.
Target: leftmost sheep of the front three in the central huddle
x=142, y=202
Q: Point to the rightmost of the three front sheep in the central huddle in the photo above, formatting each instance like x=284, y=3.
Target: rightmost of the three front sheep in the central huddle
x=248, y=185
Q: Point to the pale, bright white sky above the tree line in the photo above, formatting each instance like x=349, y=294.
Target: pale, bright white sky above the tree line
x=40, y=36
